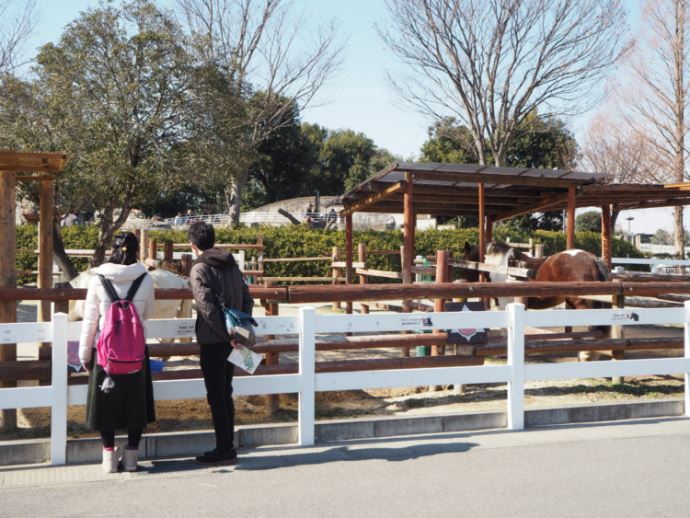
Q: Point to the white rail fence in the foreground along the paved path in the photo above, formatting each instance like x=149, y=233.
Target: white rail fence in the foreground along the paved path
x=307, y=382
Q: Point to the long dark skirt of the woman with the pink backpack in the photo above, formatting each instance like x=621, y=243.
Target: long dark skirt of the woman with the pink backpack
x=129, y=405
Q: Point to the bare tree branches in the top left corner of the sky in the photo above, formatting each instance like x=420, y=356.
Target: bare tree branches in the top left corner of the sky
x=15, y=27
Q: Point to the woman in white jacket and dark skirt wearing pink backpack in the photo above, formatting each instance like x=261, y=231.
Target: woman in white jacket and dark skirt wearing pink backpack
x=112, y=347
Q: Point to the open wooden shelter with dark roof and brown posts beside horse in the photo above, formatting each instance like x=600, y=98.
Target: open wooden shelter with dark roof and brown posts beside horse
x=494, y=194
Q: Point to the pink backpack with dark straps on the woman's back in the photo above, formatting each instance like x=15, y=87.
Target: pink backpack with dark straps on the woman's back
x=121, y=345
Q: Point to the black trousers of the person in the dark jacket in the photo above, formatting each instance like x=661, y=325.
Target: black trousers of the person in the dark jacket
x=218, y=373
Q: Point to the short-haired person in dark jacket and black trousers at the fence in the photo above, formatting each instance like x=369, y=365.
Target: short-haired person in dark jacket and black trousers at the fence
x=216, y=280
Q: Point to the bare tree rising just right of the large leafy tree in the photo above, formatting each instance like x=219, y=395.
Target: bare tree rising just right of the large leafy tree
x=268, y=69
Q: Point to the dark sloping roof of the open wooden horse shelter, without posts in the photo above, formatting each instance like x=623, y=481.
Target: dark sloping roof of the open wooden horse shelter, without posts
x=451, y=190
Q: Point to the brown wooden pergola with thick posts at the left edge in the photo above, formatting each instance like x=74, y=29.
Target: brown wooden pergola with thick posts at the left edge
x=42, y=168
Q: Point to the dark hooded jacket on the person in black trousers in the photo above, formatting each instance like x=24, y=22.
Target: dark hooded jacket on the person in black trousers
x=215, y=276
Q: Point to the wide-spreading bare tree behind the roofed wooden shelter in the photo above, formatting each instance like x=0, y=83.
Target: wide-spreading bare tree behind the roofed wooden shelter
x=492, y=62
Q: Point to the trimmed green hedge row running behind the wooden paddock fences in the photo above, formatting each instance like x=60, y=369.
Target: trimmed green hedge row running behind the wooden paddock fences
x=300, y=241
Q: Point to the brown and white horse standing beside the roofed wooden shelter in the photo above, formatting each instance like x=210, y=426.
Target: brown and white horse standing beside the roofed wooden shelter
x=572, y=265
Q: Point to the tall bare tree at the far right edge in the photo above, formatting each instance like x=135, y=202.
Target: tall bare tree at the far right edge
x=657, y=106
